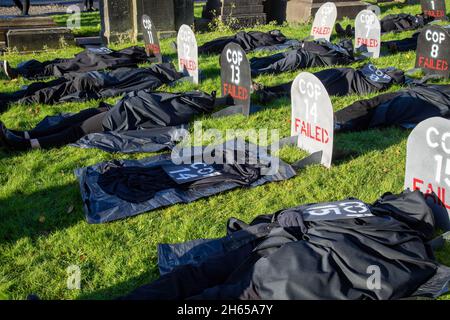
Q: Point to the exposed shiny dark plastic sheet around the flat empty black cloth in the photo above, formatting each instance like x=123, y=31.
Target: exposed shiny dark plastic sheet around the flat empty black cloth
x=102, y=207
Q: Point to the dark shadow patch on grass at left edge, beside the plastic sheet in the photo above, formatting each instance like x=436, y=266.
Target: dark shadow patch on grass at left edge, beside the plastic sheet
x=59, y=208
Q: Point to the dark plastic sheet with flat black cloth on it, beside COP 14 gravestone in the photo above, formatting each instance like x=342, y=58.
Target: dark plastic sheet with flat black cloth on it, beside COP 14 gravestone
x=123, y=188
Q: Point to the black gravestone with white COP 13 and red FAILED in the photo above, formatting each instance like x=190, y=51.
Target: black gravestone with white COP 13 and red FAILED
x=235, y=75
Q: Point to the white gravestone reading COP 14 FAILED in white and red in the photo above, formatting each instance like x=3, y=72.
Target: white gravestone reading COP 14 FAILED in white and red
x=312, y=116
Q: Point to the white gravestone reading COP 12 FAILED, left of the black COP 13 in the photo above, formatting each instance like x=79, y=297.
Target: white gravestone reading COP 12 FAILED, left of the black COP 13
x=188, y=53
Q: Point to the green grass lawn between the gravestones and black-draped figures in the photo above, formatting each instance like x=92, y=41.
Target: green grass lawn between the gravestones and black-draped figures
x=42, y=224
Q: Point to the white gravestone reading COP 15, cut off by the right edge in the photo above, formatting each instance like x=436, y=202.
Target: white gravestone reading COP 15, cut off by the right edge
x=428, y=165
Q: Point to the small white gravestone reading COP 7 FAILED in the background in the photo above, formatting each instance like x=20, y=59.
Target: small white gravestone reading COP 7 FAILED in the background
x=368, y=32
